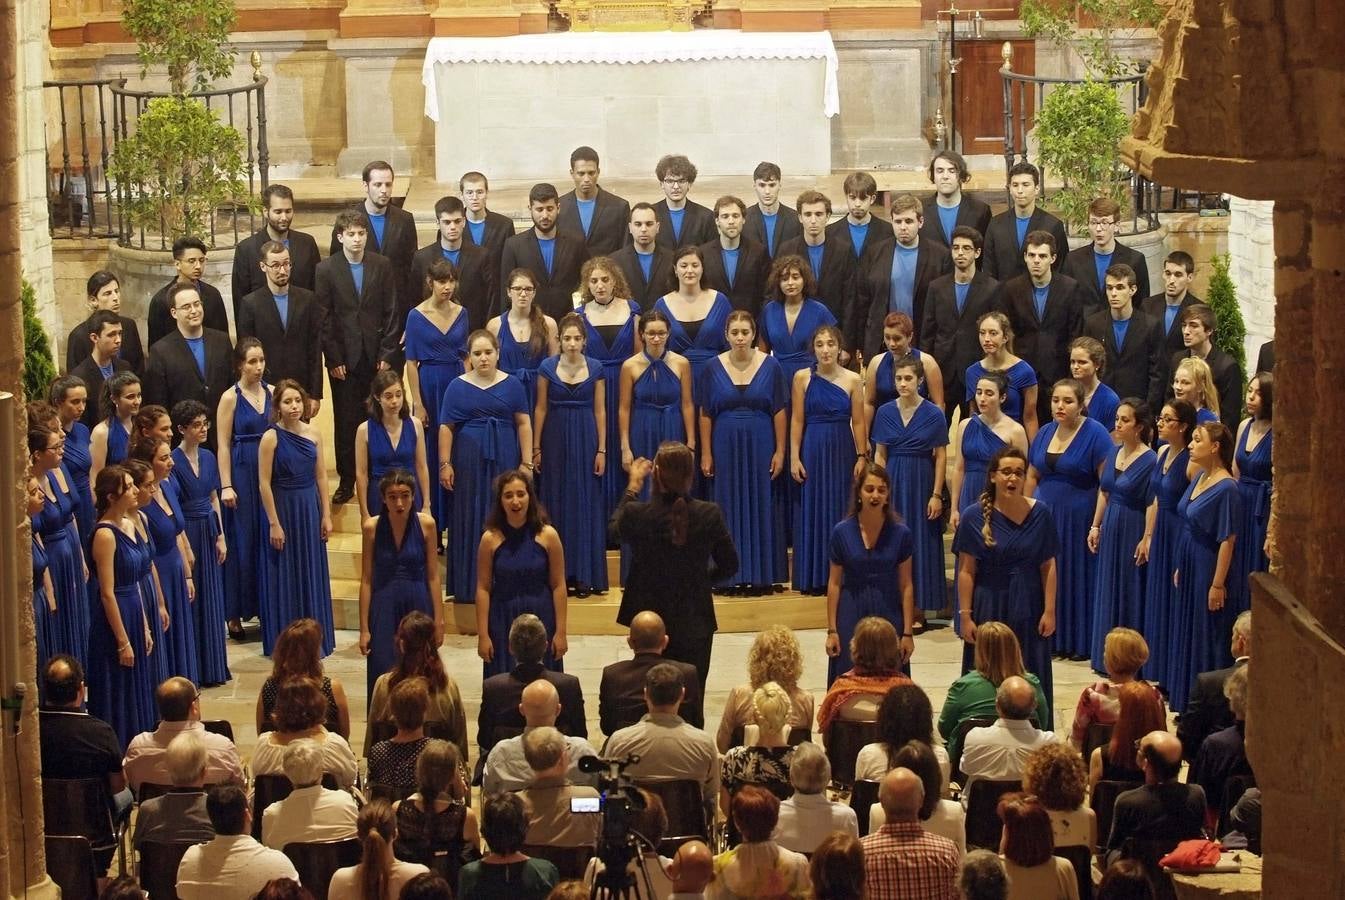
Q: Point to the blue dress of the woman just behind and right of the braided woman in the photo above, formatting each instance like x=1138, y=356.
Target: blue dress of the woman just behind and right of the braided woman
x=1070, y=488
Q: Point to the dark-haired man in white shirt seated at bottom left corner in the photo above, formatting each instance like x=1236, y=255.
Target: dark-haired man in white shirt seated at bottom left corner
x=232, y=866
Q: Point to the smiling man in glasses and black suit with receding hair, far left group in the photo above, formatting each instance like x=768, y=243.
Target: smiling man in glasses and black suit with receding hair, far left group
x=193, y=363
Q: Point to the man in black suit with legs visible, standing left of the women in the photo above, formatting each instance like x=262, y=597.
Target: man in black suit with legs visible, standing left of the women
x=358, y=299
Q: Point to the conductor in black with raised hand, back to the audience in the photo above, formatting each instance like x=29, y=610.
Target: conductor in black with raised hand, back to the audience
x=675, y=541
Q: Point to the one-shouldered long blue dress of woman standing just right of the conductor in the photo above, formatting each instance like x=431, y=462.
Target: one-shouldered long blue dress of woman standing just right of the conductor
x=828, y=455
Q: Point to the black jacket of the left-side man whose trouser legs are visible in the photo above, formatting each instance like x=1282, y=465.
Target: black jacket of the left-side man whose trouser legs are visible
x=358, y=329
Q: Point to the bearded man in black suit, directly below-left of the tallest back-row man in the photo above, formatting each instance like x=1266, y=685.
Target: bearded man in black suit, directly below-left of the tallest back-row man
x=553, y=258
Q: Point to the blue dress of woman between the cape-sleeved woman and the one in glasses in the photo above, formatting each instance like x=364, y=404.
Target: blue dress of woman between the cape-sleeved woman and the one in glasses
x=571, y=492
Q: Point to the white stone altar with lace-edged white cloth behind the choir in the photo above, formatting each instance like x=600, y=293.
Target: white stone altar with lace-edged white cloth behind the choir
x=517, y=107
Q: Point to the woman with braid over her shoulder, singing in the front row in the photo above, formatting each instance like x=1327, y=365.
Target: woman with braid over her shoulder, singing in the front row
x=1007, y=566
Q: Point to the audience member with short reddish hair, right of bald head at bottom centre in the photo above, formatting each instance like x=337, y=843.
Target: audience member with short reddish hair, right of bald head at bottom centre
x=758, y=867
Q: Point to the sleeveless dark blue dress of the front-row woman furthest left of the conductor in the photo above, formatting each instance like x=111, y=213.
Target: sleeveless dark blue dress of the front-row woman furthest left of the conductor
x=399, y=587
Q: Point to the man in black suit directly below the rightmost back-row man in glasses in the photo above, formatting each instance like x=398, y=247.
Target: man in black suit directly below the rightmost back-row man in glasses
x=1133, y=341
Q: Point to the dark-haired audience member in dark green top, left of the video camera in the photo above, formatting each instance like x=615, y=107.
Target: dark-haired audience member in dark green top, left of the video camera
x=506, y=872
